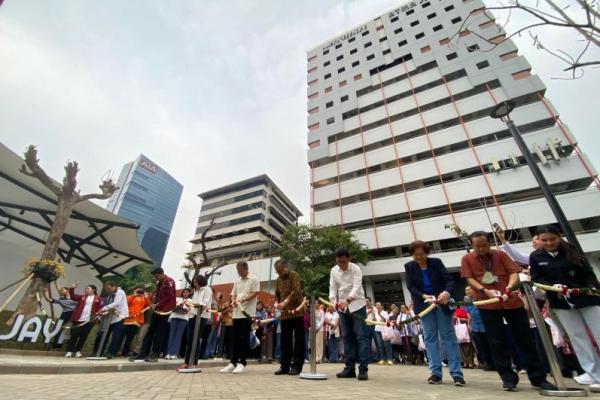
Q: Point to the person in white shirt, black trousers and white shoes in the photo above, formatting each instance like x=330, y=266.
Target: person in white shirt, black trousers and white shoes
x=243, y=298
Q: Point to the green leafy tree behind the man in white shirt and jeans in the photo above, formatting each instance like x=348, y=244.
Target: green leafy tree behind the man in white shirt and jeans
x=311, y=252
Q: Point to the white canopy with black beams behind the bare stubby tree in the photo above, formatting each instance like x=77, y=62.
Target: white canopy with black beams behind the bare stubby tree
x=94, y=236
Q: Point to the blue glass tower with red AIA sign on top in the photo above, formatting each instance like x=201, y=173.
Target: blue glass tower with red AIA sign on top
x=148, y=196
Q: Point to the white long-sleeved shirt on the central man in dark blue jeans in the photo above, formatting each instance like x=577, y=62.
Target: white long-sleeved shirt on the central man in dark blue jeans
x=348, y=283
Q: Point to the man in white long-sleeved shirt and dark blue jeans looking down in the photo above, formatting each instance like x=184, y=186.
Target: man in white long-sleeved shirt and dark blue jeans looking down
x=346, y=290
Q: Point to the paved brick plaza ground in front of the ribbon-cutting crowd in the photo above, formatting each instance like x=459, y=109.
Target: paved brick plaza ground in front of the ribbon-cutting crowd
x=395, y=382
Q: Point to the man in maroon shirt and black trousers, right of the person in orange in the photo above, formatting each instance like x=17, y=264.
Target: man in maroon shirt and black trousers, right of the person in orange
x=162, y=303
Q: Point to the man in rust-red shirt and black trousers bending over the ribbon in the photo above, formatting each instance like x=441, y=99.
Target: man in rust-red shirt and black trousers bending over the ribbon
x=491, y=273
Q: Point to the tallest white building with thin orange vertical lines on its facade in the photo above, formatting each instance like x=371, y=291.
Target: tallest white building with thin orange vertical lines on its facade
x=401, y=142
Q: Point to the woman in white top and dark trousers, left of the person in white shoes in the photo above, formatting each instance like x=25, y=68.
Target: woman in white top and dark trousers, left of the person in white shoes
x=201, y=301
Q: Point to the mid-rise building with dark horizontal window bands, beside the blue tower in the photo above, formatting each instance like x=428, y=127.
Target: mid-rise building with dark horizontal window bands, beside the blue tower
x=248, y=219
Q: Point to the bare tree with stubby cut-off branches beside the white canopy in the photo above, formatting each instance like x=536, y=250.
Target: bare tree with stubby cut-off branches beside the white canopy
x=67, y=195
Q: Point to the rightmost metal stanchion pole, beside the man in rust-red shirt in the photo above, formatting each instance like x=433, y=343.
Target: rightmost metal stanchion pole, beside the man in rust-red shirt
x=562, y=390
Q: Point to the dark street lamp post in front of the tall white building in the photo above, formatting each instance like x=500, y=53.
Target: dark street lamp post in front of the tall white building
x=503, y=110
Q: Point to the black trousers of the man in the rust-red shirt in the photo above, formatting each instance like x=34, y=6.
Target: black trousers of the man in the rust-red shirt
x=518, y=324
